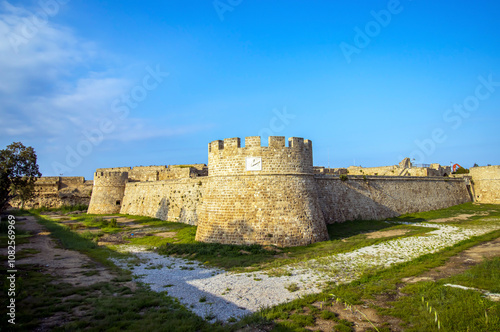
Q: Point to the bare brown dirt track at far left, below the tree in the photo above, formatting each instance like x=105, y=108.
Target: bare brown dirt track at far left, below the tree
x=69, y=265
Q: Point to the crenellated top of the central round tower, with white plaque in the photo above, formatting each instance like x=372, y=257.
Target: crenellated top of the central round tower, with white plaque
x=228, y=157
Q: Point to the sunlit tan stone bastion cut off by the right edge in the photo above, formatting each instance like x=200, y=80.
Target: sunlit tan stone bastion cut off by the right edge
x=486, y=183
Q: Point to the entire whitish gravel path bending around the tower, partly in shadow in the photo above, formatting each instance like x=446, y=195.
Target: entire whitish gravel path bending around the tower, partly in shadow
x=216, y=294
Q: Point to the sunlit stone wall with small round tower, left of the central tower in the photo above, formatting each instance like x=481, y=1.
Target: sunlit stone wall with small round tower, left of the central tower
x=157, y=191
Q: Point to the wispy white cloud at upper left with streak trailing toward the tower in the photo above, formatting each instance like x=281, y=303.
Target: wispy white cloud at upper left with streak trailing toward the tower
x=50, y=91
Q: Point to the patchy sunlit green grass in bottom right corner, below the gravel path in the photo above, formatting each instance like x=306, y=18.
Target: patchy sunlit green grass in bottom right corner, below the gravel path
x=384, y=282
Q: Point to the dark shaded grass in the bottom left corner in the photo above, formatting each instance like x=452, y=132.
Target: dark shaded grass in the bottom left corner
x=107, y=306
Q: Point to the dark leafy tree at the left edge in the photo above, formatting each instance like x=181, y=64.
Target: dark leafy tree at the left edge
x=18, y=173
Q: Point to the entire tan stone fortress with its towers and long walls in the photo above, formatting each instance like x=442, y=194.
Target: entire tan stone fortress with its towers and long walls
x=273, y=194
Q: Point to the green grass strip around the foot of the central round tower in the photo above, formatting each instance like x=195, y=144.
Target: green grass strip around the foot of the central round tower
x=345, y=237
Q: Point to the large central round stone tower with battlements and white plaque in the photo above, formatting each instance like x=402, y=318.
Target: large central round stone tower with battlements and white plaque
x=274, y=204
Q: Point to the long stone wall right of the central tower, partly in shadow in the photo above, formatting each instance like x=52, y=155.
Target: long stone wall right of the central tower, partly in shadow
x=372, y=197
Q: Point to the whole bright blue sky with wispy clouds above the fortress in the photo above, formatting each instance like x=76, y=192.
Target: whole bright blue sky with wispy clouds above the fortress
x=95, y=84
